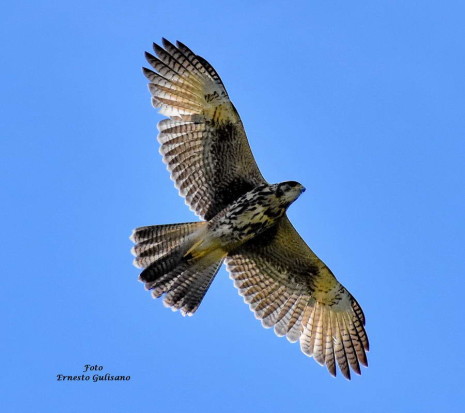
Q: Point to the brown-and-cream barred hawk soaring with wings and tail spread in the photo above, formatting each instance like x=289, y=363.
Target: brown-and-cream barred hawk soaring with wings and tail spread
x=244, y=222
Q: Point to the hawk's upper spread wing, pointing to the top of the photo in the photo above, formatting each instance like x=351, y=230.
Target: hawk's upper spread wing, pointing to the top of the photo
x=203, y=143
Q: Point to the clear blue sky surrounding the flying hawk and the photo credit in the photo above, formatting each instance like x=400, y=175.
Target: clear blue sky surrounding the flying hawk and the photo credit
x=362, y=102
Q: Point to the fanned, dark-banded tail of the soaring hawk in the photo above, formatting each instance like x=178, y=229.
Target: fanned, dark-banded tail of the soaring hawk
x=171, y=266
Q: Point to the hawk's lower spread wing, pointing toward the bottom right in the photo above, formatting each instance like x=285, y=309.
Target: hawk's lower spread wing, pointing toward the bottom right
x=290, y=288
